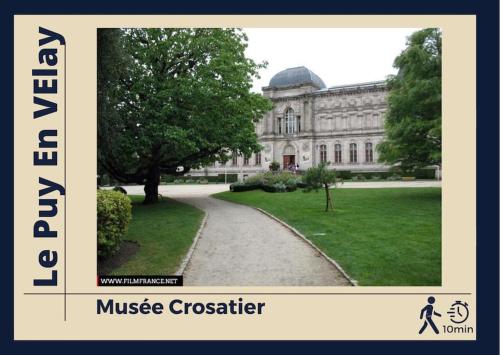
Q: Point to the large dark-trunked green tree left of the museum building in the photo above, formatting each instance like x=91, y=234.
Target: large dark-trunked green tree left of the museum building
x=178, y=98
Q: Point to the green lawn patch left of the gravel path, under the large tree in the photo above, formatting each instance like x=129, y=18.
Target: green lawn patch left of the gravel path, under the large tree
x=164, y=231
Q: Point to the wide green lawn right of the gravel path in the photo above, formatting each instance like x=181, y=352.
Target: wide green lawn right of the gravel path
x=381, y=237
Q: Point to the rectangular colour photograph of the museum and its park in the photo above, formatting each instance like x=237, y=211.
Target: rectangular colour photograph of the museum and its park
x=270, y=156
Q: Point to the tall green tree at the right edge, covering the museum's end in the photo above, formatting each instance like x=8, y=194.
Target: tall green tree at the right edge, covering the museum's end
x=413, y=121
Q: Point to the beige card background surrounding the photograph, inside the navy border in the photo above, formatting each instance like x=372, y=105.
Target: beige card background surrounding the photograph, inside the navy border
x=287, y=316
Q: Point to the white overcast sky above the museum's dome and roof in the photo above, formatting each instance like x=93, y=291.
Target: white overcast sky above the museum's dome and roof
x=337, y=55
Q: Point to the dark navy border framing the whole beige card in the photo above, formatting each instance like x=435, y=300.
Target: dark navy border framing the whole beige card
x=487, y=12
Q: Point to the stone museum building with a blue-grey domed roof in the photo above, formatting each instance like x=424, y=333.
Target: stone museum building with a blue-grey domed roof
x=312, y=123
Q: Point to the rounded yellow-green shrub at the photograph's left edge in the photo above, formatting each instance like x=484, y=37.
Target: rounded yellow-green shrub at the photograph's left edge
x=114, y=212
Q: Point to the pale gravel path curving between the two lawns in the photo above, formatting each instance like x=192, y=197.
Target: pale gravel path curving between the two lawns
x=240, y=246
